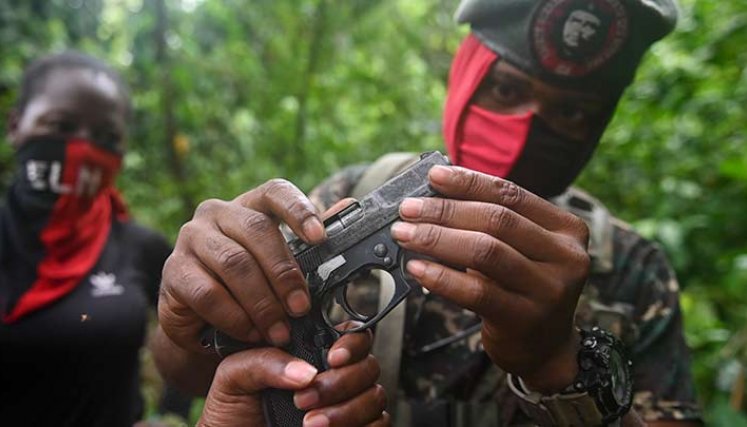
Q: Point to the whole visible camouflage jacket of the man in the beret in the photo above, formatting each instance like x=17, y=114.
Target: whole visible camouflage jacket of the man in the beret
x=632, y=292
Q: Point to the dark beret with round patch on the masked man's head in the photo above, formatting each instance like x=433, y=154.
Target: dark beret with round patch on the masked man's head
x=577, y=44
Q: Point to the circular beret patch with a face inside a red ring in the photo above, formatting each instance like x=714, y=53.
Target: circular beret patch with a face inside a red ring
x=575, y=37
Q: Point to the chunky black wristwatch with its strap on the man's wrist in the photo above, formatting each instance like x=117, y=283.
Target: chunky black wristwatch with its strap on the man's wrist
x=600, y=395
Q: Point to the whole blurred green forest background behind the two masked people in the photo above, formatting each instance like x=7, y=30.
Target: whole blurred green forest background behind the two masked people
x=230, y=93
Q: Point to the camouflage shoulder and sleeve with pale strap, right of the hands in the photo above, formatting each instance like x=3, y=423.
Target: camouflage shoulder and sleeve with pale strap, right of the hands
x=636, y=296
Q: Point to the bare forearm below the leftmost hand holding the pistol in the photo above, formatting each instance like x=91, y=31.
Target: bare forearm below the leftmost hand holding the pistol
x=188, y=371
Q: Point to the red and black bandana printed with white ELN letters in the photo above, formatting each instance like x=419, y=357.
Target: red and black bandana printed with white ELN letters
x=60, y=211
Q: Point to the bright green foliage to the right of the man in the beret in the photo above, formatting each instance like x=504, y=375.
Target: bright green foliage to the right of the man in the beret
x=676, y=157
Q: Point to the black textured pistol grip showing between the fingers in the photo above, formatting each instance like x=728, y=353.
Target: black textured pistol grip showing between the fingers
x=310, y=340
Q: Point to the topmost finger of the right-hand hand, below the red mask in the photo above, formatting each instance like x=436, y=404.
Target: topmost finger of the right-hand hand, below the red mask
x=461, y=183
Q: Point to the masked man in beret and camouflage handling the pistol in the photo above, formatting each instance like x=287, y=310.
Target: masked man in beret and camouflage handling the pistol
x=542, y=308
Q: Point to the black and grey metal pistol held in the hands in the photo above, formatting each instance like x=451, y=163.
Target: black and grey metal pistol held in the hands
x=358, y=240
